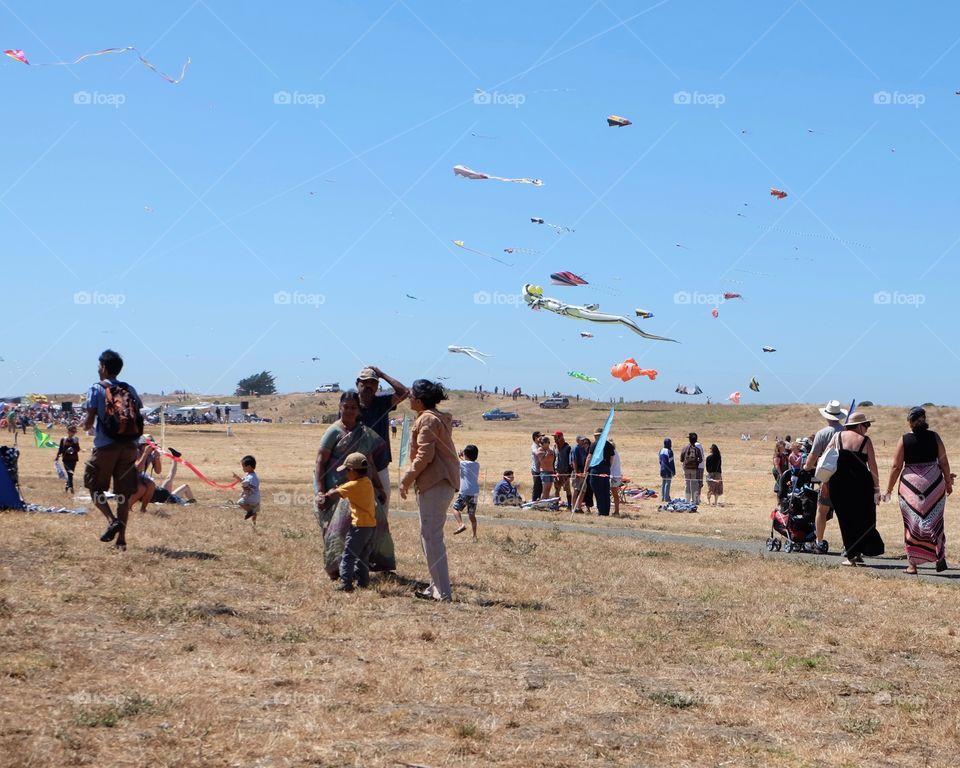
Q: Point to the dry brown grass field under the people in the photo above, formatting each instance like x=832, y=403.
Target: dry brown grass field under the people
x=211, y=643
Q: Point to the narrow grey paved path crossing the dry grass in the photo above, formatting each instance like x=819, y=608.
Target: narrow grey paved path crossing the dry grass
x=881, y=566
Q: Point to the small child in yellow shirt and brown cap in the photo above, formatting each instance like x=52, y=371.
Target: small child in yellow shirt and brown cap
x=358, y=490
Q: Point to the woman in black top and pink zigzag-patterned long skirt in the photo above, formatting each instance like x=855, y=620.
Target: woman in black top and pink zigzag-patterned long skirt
x=920, y=464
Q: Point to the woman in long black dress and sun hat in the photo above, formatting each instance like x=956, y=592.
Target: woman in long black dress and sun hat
x=855, y=491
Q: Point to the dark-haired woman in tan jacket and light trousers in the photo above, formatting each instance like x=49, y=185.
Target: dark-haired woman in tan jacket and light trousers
x=435, y=471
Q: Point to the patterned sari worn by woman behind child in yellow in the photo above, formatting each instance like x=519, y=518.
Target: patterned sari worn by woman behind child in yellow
x=334, y=516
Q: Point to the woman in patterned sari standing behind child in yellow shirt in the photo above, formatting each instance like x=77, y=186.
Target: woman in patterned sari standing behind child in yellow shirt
x=345, y=436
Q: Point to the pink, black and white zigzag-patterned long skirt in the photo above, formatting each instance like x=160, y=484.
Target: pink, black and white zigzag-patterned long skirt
x=923, y=497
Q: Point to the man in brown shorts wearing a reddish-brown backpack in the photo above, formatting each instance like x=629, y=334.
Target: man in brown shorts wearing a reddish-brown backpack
x=115, y=407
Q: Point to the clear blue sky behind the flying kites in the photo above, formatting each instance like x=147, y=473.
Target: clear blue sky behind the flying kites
x=281, y=202
